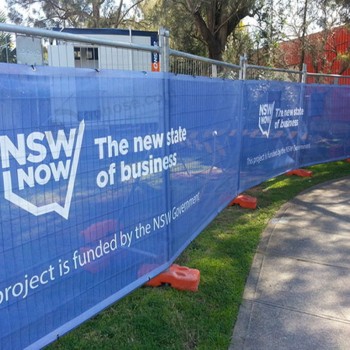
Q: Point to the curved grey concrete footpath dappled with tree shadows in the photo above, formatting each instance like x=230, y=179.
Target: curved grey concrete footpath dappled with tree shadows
x=297, y=295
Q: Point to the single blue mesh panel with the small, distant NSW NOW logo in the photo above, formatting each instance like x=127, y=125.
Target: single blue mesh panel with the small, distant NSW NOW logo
x=272, y=112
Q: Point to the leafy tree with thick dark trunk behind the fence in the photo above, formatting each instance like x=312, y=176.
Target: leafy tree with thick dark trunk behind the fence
x=206, y=24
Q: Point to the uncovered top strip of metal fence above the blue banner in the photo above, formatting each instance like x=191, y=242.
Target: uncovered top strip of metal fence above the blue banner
x=55, y=48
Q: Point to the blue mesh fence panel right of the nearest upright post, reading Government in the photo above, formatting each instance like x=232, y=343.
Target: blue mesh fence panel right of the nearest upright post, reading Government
x=206, y=176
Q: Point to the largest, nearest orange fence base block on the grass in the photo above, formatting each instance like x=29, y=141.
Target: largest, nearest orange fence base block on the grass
x=178, y=277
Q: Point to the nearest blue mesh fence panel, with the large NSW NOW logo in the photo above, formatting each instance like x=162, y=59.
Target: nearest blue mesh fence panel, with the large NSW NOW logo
x=85, y=167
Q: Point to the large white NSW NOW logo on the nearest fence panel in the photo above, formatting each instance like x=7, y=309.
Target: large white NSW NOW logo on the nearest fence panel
x=39, y=169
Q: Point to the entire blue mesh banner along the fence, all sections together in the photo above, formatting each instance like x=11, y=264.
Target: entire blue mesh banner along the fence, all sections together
x=107, y=176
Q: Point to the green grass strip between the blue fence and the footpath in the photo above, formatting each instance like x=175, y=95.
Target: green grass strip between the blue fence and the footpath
x=164, y=318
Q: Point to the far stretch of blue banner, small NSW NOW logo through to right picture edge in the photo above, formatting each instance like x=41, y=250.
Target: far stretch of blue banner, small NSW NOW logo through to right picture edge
x=286, y=126
